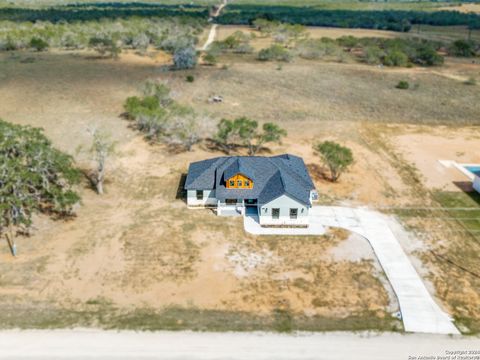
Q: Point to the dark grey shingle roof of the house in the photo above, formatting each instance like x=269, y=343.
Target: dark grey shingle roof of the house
x=272, y=177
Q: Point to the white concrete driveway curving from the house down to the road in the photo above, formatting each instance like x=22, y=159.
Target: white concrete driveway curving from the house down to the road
x=420, y=313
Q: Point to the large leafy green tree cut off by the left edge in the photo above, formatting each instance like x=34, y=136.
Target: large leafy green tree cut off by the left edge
x=34, y=177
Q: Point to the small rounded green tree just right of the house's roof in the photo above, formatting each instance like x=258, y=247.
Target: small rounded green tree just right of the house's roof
x=335, y=156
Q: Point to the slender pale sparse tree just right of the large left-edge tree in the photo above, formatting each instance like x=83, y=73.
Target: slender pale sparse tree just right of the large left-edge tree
x=101, y=149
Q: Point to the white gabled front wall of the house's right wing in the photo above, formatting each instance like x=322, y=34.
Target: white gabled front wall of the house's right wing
x=284, y=203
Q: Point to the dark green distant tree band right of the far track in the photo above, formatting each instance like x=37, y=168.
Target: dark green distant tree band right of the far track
x=395, y=20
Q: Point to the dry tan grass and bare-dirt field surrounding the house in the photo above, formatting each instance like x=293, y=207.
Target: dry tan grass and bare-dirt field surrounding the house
x=138, y=258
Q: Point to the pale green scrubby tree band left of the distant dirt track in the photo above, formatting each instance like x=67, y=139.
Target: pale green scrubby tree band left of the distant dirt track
x=106, y=36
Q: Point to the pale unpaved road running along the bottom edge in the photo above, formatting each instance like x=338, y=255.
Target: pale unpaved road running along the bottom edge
x=81, y=344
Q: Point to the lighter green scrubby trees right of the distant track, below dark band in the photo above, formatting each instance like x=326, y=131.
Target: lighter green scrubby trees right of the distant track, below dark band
x=290, y=41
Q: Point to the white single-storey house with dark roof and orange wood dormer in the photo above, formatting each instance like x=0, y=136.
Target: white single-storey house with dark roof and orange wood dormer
x=278, y=189
